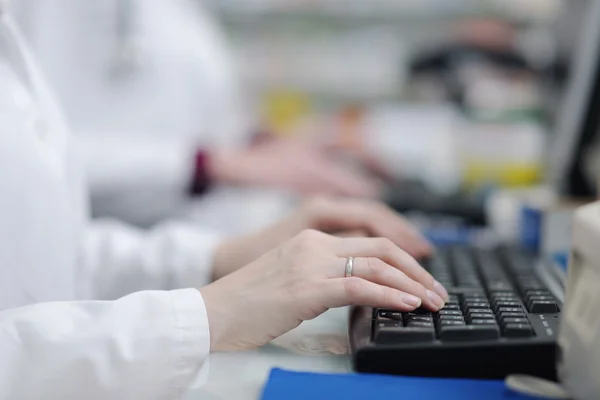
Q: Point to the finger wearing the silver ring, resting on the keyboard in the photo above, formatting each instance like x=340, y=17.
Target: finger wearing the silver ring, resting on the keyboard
x=376, y=271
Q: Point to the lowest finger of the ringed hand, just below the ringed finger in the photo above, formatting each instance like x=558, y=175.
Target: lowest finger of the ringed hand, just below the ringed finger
x=342, y=292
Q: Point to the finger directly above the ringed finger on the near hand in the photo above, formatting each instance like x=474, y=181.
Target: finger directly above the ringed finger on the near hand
x=387, y=251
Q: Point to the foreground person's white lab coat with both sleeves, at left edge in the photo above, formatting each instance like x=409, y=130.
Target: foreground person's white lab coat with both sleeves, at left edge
x=66, y=332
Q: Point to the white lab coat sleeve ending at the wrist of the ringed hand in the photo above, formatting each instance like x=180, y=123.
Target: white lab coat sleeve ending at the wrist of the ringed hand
x=148, y=345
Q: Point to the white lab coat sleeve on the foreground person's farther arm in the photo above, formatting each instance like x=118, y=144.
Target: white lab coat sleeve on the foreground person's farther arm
x=119, y=259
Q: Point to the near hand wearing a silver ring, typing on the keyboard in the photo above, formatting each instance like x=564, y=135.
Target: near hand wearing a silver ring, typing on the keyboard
x=303, y=277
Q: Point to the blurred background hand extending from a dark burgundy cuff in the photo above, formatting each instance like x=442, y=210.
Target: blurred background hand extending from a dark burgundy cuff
x=293, y=165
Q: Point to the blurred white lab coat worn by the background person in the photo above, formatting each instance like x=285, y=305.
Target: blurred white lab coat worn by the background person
x=180, y=93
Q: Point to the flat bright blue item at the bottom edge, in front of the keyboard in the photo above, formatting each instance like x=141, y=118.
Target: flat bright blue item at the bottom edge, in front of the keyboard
x=303, y=385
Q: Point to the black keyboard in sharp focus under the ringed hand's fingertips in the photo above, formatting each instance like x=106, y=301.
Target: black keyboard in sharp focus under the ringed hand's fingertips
x=500, y=319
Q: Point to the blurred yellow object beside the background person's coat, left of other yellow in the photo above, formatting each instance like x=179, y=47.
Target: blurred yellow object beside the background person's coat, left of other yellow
x=284, y=110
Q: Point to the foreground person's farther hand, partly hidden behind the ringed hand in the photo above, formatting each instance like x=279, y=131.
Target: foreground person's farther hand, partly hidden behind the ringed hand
x=330, y=215
